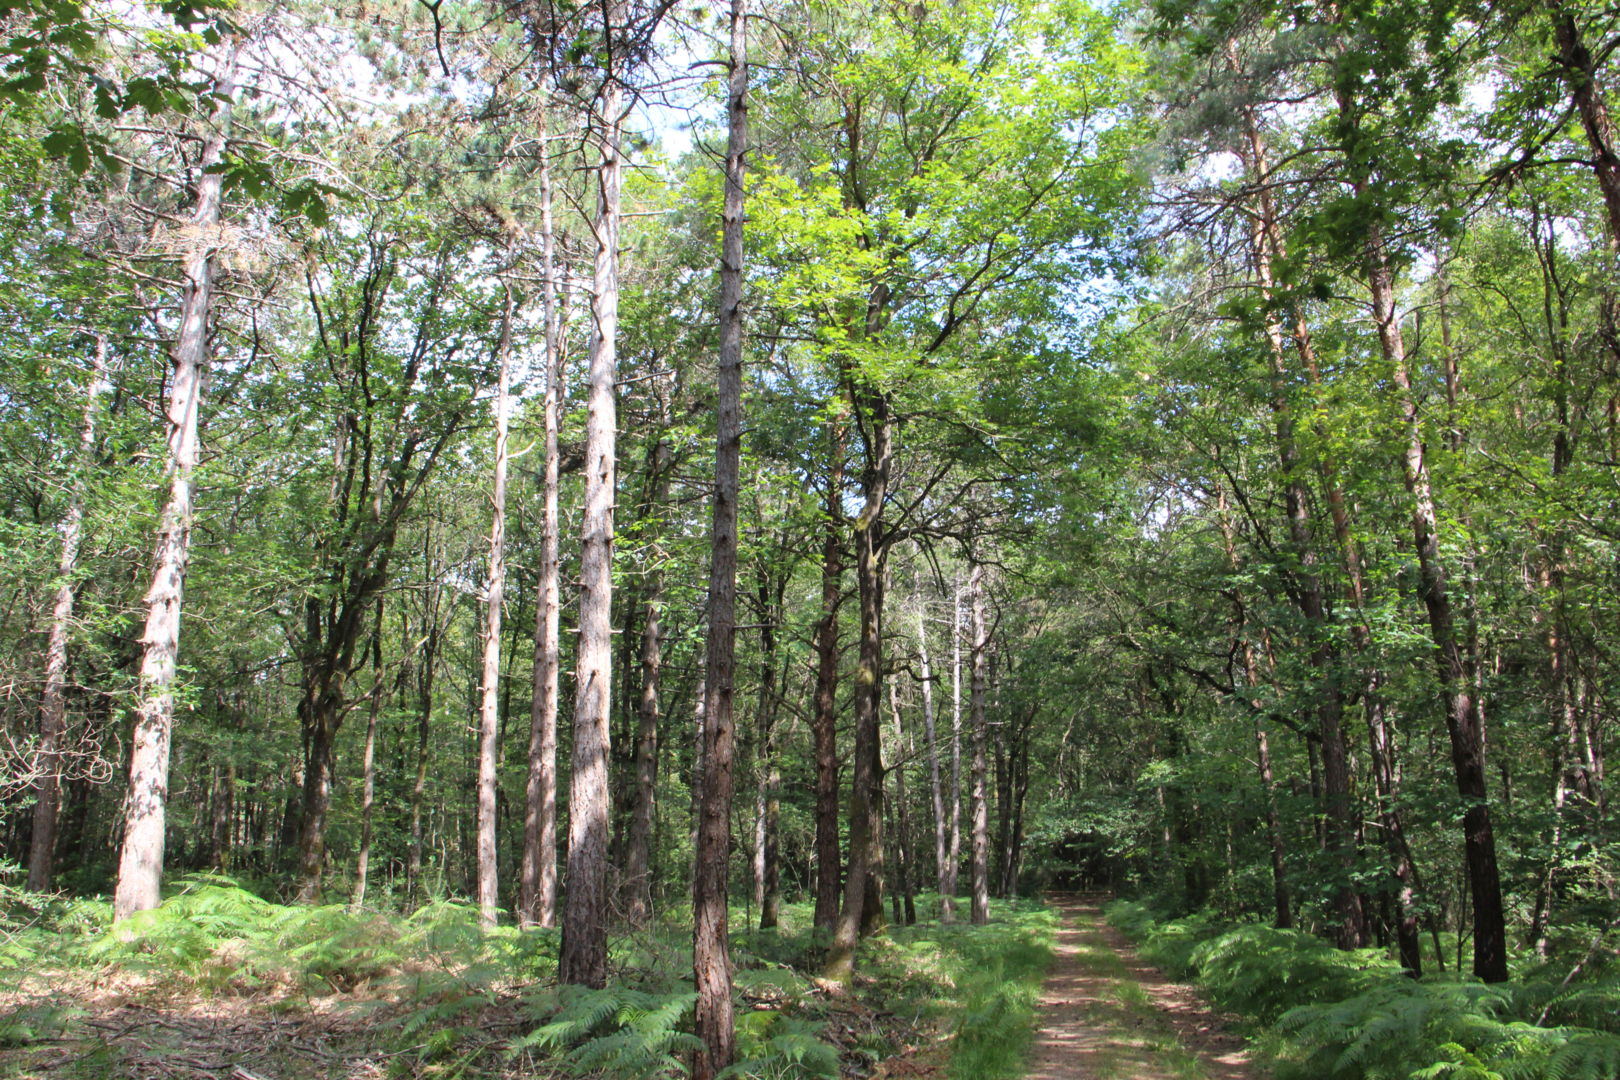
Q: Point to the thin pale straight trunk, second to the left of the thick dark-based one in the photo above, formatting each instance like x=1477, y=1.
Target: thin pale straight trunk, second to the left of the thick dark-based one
x=490, y=686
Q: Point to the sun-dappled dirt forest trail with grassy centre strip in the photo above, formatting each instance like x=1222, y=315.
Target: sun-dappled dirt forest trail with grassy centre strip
x=1107, y=1016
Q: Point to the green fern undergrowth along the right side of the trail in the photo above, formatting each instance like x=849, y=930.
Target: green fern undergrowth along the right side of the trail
x=1321, y=1013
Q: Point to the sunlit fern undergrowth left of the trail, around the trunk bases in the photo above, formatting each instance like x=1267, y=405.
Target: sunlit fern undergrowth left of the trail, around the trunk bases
x=435, y=995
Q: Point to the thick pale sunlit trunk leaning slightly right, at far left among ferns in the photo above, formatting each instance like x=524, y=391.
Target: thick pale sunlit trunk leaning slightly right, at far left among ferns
x=142, y=857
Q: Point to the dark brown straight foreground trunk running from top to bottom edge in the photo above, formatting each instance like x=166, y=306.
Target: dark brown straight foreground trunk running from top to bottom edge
x=714, y=1019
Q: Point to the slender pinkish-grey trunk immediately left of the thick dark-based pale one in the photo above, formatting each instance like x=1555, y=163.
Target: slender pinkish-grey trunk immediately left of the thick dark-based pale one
x=539, y=877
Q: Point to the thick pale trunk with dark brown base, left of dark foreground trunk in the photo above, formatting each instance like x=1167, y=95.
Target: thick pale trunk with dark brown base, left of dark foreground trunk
x=584, y=956
